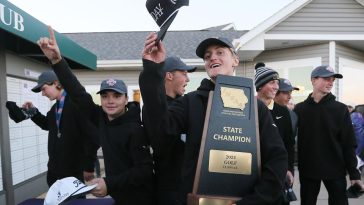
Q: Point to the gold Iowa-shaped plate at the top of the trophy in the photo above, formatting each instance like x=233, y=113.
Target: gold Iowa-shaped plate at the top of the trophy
x=233, y=98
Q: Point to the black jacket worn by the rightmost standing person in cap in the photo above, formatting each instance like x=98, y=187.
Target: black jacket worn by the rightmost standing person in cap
x=326, y=140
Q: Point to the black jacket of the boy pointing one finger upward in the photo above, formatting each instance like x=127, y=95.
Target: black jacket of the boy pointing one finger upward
x=128, y=162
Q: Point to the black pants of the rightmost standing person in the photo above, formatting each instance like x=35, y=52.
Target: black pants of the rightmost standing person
x=336, y=189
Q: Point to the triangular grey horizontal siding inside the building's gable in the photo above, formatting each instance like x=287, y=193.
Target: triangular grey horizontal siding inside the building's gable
x=324, y=16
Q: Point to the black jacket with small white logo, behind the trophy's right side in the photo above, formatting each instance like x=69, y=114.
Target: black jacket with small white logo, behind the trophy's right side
x=282, y=119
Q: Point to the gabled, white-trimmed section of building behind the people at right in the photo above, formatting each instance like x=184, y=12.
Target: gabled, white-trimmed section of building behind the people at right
x=308, y=33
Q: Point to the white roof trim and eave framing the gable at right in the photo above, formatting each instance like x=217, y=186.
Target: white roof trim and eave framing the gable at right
x=251, y=44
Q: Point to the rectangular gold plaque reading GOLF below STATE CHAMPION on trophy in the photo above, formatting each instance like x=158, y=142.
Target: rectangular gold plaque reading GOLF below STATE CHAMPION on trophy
x=230, y=162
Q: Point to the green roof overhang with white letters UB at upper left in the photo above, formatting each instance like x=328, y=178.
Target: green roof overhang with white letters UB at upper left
x=20, y=33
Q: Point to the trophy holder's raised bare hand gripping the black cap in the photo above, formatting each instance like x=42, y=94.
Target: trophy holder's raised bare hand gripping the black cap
x=153, y=51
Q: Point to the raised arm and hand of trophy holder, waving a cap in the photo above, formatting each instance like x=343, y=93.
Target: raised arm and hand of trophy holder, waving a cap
x=160, y=120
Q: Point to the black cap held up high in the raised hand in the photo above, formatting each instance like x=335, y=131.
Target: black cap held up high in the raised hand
x=164, y=12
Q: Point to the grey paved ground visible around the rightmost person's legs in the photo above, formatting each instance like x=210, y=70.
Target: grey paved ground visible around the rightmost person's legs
x=323, y=196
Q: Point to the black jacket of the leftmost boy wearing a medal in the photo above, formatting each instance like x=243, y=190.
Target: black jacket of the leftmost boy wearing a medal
x=75, y=150
